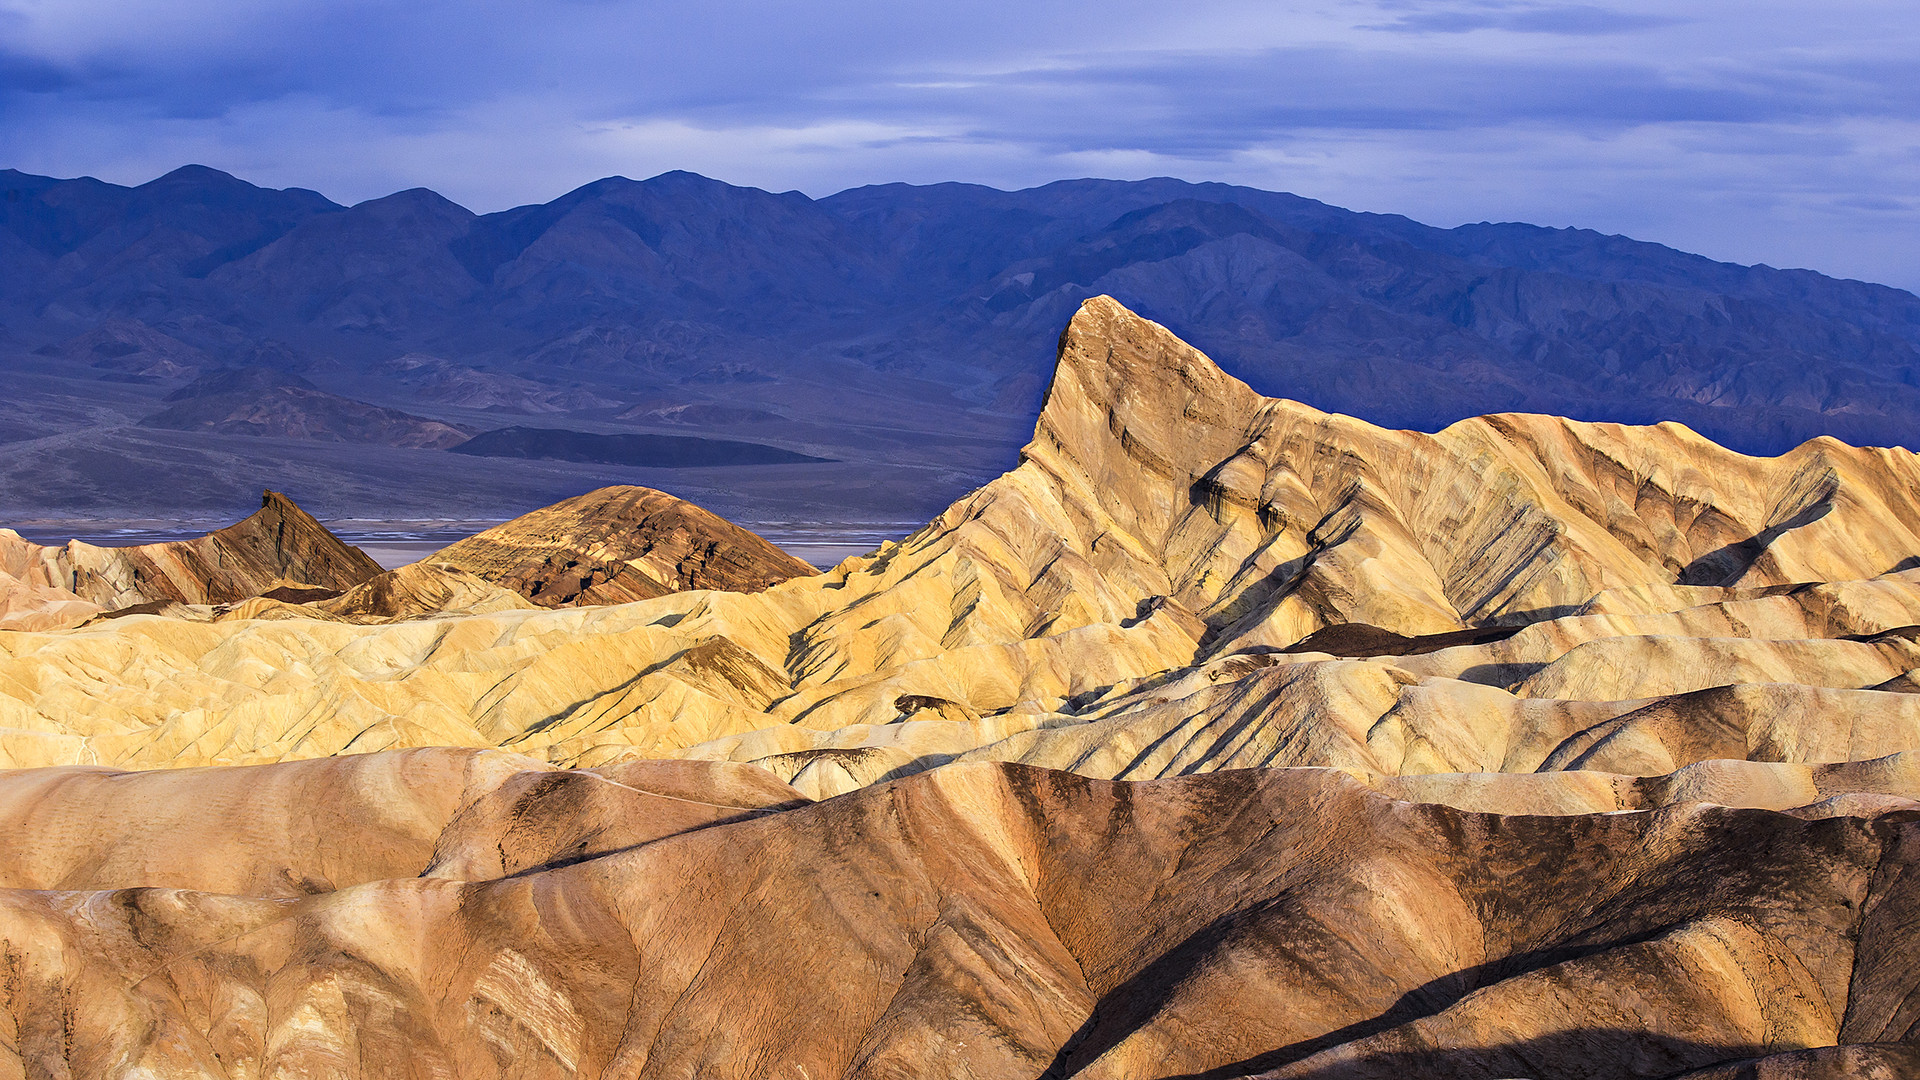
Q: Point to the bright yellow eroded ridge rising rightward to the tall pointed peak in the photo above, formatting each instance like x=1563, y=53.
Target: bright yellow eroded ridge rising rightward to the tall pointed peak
x=1164, y=516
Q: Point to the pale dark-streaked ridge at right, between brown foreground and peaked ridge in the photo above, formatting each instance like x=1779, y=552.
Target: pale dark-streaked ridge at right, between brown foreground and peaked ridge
x=1794, y=689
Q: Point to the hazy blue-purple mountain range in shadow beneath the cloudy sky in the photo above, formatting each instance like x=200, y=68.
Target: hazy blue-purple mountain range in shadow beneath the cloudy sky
x=871, y=326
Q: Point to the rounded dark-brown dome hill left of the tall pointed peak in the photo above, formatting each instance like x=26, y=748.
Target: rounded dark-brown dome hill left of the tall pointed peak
x=621, y=545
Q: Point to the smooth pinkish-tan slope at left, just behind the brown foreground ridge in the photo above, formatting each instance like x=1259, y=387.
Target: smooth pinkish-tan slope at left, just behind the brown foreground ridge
x=320, y=825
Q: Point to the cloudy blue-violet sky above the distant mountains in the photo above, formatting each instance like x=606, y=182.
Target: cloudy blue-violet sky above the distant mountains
x=1756, y=132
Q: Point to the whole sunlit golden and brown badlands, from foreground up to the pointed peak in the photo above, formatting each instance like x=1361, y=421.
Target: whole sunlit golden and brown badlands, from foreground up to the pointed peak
x=1220, y=739
